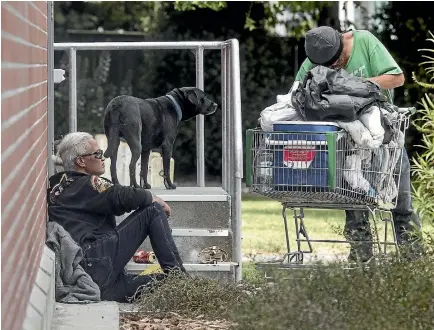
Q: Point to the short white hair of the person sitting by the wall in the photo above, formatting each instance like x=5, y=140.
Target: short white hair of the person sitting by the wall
x=71, y=146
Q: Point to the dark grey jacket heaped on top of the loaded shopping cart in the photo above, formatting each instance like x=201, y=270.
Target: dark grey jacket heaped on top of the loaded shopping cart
x=335, y=95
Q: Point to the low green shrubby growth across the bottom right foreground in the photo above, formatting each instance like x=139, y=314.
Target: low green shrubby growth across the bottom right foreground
x=389, y=295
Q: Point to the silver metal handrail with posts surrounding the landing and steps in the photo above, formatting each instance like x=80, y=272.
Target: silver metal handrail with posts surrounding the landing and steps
x=232, y=146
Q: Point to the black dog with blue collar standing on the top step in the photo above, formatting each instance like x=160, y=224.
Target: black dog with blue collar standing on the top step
x=149, y=124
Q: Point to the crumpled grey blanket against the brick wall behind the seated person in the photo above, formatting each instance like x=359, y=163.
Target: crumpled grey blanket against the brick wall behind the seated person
x=72, y=283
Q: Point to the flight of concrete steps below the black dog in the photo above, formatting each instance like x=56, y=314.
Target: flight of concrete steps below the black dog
x=201, y=218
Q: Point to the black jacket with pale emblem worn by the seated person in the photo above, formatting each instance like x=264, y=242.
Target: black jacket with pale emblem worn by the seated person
x=86, y=205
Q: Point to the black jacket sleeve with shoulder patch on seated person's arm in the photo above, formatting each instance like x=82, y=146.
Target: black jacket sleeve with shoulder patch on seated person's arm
x=115, y=198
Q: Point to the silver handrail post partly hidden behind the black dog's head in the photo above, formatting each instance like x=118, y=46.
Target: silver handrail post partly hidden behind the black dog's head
x=200, y=134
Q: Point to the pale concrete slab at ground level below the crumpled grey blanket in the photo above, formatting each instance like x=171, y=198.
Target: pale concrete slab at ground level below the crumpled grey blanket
x=96, y=316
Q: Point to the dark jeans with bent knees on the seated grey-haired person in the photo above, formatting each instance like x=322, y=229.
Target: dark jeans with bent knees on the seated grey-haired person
x=105, y=258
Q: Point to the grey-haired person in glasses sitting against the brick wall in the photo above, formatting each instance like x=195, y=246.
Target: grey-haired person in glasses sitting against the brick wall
x=86, y=204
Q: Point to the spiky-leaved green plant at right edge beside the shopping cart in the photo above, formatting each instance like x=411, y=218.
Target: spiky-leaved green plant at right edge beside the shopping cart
x=423, y=163
